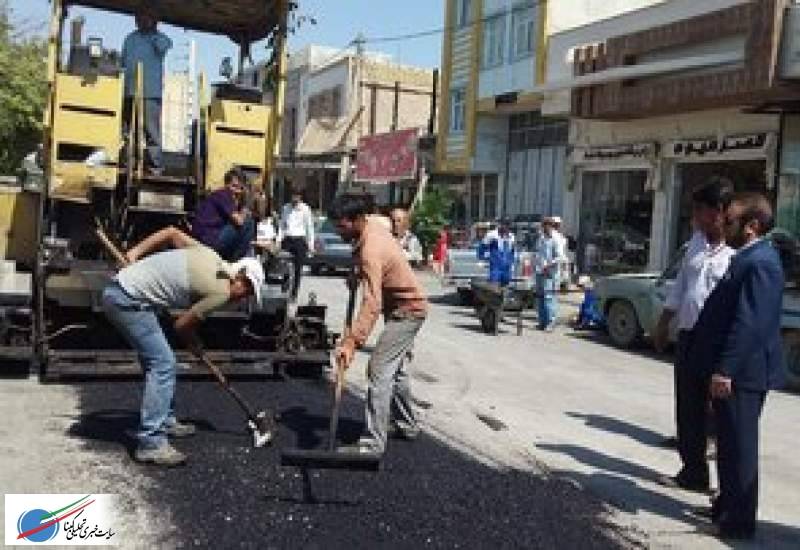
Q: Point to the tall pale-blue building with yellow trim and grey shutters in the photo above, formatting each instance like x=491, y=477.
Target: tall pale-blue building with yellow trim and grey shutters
x=503, y=136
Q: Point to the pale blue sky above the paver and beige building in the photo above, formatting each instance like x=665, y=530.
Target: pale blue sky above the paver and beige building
x=338, y=22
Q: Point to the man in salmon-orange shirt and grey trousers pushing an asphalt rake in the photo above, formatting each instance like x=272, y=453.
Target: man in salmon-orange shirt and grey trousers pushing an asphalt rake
x=389, y=285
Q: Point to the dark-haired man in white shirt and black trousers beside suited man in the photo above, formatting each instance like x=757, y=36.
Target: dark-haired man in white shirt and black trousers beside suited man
x=705, y=262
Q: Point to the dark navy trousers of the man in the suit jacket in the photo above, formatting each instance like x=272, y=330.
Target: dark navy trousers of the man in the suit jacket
x=737, y=458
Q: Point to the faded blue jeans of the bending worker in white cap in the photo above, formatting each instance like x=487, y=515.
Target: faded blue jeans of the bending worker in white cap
x=139, y=325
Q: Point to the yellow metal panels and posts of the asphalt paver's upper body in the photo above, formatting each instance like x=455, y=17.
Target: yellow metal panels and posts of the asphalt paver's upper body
x=87, y=113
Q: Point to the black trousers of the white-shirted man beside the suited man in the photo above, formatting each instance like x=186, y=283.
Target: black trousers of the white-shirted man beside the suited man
x=691, y=411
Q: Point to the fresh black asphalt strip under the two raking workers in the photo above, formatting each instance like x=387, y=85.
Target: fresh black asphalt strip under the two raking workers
x=426, y=496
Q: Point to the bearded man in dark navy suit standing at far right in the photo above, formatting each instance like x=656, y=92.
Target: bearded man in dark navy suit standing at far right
x=738, y=341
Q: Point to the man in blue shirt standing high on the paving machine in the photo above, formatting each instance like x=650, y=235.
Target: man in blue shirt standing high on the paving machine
x=148, y=46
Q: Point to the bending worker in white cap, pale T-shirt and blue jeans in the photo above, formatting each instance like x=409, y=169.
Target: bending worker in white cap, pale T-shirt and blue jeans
x=190, y=277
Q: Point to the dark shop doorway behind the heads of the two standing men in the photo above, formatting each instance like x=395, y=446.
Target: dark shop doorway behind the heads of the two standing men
x=746, y=176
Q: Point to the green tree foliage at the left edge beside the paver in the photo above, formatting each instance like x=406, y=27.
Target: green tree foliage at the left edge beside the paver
x=23, y=92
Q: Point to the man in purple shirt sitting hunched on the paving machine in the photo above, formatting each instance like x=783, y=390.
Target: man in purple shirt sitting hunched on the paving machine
x=222, y=224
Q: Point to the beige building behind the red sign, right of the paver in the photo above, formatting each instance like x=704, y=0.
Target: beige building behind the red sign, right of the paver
x=334, y=98
